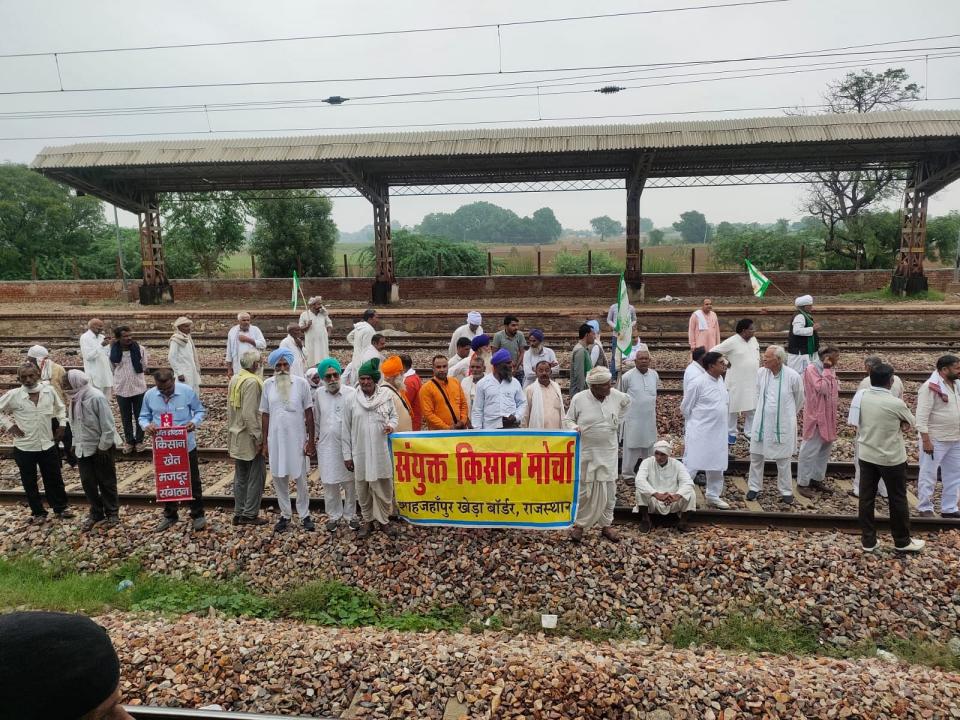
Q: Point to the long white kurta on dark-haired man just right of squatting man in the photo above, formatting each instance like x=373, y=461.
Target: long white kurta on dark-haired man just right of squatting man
x=704, y=409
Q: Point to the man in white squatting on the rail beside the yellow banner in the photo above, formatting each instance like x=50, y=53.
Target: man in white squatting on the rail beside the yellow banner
x=664, y=487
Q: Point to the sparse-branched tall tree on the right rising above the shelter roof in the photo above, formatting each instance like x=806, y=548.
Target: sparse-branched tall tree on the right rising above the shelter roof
x=840, y=196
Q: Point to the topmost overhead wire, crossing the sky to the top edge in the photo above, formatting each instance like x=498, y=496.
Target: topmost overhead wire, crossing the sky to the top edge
x=407, y=31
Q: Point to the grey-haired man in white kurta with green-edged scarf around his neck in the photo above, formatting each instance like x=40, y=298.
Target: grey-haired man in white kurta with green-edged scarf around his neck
x=779, y=399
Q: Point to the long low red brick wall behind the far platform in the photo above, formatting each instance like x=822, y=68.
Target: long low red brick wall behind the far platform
x=500, y=288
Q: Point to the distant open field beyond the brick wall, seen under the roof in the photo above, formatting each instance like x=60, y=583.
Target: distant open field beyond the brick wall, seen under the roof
x=522, y=259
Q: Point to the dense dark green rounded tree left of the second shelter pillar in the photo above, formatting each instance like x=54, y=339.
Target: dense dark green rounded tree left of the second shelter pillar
x=293, y=224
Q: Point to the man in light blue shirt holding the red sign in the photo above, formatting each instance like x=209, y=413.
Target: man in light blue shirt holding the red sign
x=170, y=404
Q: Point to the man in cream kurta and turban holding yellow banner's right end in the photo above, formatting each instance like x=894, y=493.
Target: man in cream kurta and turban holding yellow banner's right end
x=596, y=413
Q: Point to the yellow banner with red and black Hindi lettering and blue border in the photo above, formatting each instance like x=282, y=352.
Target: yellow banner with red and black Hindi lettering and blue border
x=487, y=478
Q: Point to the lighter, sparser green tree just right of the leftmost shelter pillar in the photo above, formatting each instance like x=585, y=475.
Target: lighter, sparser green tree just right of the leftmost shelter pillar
x=206, y=227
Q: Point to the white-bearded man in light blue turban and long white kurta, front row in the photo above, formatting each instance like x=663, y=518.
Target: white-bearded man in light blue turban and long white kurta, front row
x=286, y=408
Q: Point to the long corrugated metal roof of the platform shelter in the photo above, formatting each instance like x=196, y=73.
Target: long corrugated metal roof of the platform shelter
x=500, y=141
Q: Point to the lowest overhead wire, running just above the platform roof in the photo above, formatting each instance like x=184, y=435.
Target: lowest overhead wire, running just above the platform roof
x=559, y=118
